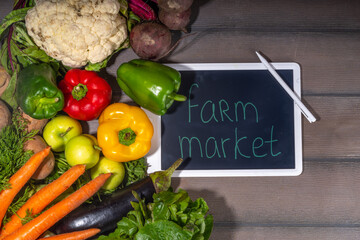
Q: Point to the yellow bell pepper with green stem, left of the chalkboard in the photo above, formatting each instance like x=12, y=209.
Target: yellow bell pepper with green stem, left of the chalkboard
x=124, y=133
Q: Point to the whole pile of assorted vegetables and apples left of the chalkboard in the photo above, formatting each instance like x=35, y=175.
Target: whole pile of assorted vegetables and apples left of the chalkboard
x=55, y=177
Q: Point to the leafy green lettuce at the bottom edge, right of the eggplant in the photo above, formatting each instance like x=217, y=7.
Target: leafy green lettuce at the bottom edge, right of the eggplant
x=171, y=216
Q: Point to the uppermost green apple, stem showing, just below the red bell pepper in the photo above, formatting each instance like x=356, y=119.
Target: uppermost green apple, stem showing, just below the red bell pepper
x=59, y=130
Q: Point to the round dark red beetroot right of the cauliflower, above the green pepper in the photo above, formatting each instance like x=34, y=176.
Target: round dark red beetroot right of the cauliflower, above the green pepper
x=150, y=40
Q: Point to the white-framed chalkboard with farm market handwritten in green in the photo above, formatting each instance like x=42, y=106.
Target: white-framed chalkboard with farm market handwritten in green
x=237, y=121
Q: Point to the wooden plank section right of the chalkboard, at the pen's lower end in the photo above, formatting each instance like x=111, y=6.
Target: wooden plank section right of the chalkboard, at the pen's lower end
x=336, y=135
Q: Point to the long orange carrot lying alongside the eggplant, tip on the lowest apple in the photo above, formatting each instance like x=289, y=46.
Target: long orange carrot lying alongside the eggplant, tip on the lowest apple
x=33, y=229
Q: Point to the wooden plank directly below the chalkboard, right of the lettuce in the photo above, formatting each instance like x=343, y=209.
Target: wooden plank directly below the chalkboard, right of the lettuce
x=325, y=194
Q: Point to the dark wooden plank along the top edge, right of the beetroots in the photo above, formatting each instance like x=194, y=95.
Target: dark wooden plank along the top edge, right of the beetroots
x=279, y=15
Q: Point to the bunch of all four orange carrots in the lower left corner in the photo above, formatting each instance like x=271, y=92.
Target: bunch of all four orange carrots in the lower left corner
x=14, y=230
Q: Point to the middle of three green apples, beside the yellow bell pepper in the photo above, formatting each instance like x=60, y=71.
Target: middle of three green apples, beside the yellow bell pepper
x=82, y=149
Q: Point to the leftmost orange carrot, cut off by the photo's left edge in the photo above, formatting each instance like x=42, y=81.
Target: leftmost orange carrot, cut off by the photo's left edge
x=19, y=179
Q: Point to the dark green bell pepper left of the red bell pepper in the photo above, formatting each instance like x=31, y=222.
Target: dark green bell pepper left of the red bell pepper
x=37, y=93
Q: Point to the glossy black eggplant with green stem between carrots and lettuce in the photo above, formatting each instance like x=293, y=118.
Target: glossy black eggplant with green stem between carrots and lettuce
x=105, y=214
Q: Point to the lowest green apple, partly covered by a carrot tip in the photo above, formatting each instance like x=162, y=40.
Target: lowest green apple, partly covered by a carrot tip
x=106, y=165
